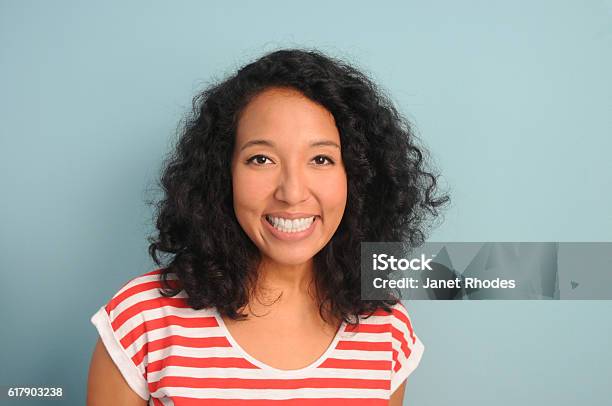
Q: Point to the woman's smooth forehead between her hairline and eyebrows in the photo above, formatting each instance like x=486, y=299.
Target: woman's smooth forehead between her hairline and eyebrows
x=284, y=113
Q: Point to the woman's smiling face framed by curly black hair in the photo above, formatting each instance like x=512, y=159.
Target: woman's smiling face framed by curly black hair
x=288, y=178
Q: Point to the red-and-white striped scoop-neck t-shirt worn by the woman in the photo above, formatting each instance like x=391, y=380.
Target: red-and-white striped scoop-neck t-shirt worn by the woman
x=171, y=354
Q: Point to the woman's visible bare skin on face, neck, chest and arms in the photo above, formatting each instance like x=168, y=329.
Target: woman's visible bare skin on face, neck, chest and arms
x=287, y=158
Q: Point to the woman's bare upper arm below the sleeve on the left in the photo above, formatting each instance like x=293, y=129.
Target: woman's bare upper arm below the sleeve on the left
x=106, y=385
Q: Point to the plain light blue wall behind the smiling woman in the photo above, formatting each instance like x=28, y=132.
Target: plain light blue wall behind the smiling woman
x=512, y=98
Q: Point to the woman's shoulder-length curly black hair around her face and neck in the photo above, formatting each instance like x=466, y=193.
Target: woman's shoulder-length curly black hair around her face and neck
x=390, y=193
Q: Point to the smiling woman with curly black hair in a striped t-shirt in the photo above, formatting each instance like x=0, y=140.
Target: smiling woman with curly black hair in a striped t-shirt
x=283, y=170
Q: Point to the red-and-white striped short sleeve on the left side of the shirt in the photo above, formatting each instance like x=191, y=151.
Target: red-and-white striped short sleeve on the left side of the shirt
x=121, y=327
